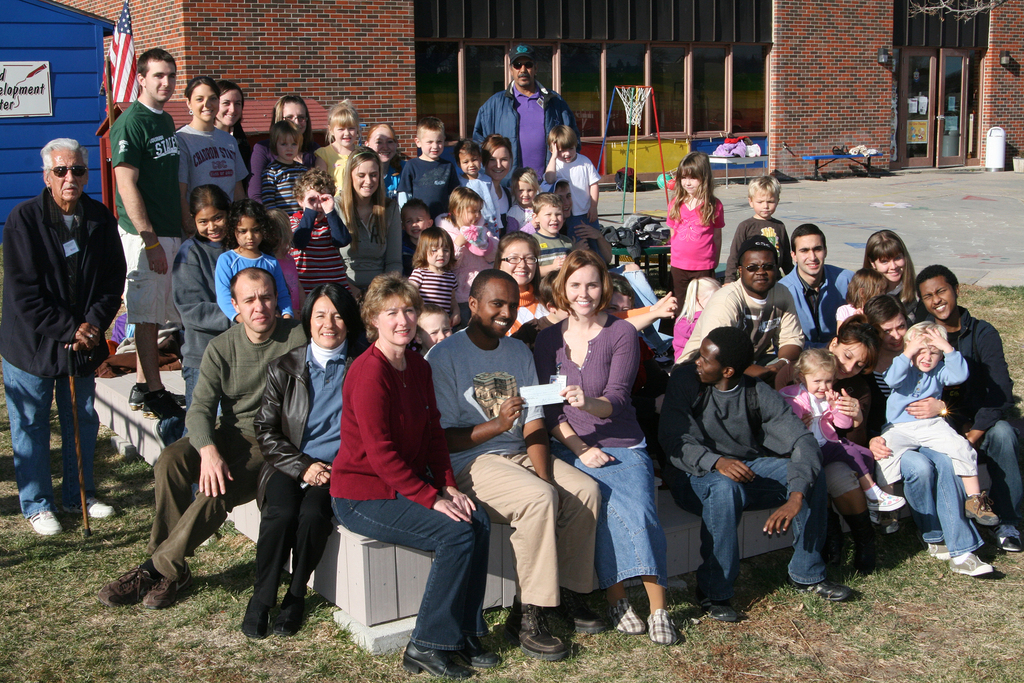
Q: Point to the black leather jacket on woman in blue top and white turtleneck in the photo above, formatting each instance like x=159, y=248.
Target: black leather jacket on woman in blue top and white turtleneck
x=282, y=416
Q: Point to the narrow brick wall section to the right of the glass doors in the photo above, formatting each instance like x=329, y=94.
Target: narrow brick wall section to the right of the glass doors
x=1003, y=99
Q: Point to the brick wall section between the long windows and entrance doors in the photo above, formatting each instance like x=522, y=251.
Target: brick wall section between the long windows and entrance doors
x=827, y=87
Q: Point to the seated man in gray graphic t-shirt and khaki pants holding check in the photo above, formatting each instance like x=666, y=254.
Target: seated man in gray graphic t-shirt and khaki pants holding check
x=501, y=457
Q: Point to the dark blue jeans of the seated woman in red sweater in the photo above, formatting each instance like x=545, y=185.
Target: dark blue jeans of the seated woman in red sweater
x=453, y=602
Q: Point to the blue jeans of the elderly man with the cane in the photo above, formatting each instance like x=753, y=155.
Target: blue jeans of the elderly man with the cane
x=29, y=401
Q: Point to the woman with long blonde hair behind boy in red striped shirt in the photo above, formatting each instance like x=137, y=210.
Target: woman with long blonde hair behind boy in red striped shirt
x=372, y=219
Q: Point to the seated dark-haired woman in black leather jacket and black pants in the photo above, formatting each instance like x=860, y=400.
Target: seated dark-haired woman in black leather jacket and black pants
x=297, y=431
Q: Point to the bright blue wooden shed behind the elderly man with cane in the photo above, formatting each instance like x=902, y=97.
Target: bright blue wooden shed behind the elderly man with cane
x=37, y=31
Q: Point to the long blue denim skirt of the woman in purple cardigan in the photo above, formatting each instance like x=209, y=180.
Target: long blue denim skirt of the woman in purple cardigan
x=630, y=541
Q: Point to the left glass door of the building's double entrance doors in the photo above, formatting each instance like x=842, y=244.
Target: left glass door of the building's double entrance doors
x=918, y=108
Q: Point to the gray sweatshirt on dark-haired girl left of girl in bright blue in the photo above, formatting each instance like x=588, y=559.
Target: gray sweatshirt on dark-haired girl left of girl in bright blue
x=196, y=297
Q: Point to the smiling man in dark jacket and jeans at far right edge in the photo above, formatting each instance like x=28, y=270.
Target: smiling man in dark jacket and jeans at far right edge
x=975, y=408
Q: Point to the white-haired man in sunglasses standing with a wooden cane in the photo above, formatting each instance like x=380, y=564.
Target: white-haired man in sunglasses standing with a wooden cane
x=64, y=275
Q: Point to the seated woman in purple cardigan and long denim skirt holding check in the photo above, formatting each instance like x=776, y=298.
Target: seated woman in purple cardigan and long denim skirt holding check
x=599, y=434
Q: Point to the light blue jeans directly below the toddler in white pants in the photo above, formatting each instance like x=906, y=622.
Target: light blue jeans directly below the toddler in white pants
x=936, y=498
